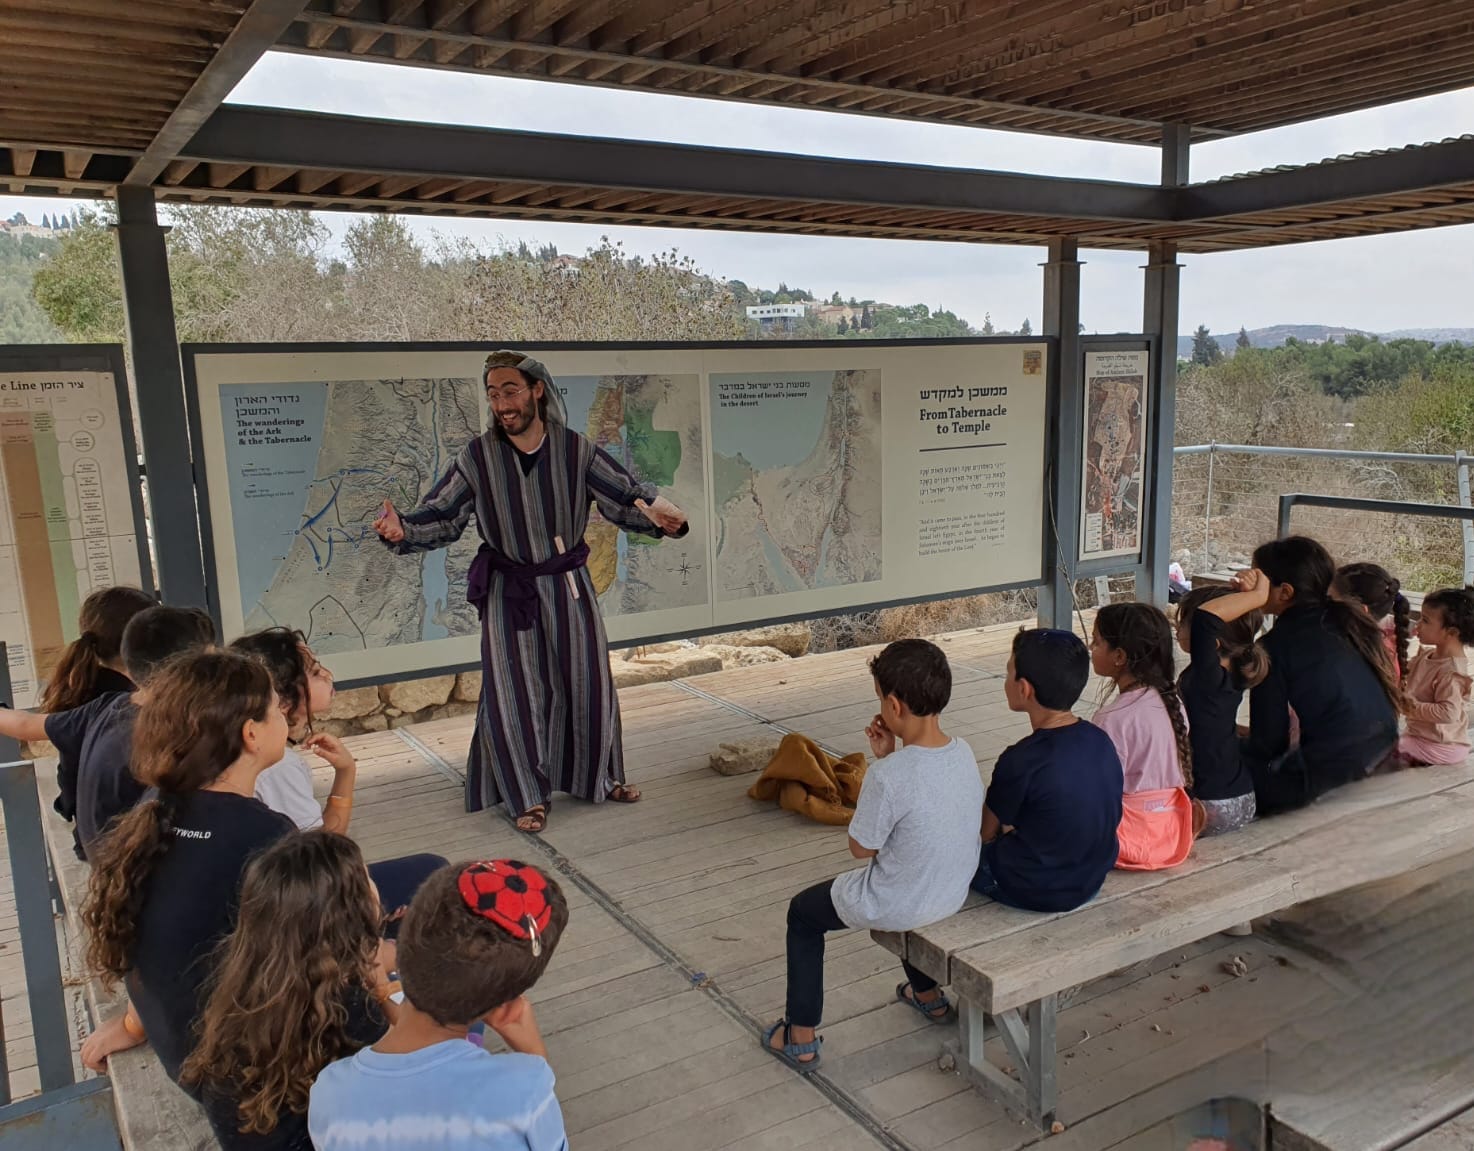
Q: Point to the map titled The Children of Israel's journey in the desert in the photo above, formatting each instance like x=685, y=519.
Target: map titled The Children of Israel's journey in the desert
x=797, y=475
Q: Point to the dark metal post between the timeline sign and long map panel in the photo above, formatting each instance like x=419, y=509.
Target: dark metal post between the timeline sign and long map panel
x=154, y=344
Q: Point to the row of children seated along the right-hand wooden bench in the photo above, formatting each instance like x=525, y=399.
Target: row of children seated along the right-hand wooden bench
x=1162, y=763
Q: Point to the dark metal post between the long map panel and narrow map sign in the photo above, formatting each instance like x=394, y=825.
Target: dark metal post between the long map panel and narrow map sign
x=1062, y=321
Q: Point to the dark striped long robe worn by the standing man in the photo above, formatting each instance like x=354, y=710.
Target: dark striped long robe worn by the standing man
x=548, y=720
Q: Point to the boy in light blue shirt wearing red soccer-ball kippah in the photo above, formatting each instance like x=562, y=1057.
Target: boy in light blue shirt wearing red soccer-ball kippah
x=472, y=942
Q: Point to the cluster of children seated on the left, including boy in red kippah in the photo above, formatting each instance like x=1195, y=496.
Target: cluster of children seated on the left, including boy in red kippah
x=303, y=997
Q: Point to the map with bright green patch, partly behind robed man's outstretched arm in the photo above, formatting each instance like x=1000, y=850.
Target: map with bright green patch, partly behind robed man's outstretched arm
x=652, y=425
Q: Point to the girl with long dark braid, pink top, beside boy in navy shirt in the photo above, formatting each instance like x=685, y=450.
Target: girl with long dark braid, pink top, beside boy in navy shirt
x=1133, y=648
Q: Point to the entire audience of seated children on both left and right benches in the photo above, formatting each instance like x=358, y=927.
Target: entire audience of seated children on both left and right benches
x=310, y=1000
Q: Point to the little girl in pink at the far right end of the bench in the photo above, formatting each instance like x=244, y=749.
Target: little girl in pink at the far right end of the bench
x=1439, y=683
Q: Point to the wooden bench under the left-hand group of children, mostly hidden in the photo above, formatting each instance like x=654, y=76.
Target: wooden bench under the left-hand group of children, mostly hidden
x=153, y=1113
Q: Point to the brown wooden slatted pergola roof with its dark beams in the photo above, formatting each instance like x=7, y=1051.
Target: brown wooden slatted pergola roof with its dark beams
x=95, y=94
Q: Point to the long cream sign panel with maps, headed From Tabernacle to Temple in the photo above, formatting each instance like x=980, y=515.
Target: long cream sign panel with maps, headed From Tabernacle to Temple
x=816, y=480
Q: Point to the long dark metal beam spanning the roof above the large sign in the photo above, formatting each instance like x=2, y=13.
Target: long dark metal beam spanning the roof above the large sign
x=265, y=136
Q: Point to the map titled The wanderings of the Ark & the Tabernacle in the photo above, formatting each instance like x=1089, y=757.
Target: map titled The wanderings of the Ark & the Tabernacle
x=310, y=466
